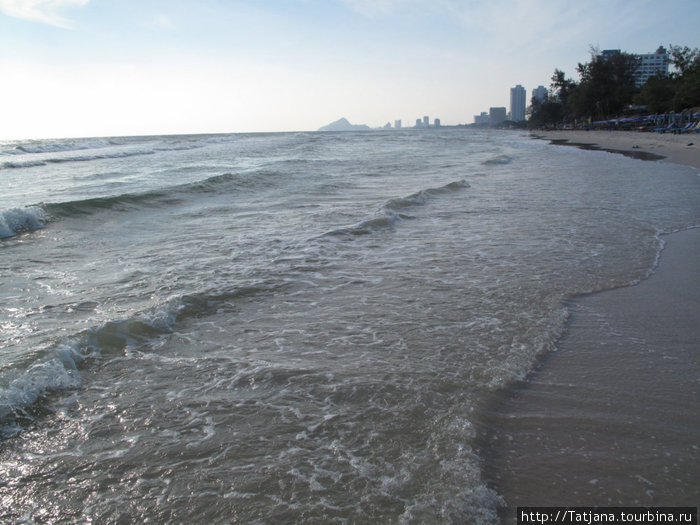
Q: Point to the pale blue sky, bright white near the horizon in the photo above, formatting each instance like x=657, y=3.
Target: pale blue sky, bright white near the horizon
x=83, y=68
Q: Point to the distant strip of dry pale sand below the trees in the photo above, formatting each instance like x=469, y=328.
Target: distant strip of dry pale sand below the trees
x=680, y=149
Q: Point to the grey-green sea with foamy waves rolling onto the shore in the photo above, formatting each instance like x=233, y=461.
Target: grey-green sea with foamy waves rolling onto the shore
x=294, y=327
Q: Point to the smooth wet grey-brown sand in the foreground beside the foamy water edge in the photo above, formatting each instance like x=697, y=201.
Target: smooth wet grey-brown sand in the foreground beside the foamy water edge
x=611, y=417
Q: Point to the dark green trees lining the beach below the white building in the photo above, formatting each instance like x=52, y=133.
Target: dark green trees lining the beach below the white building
x=606, y=89
